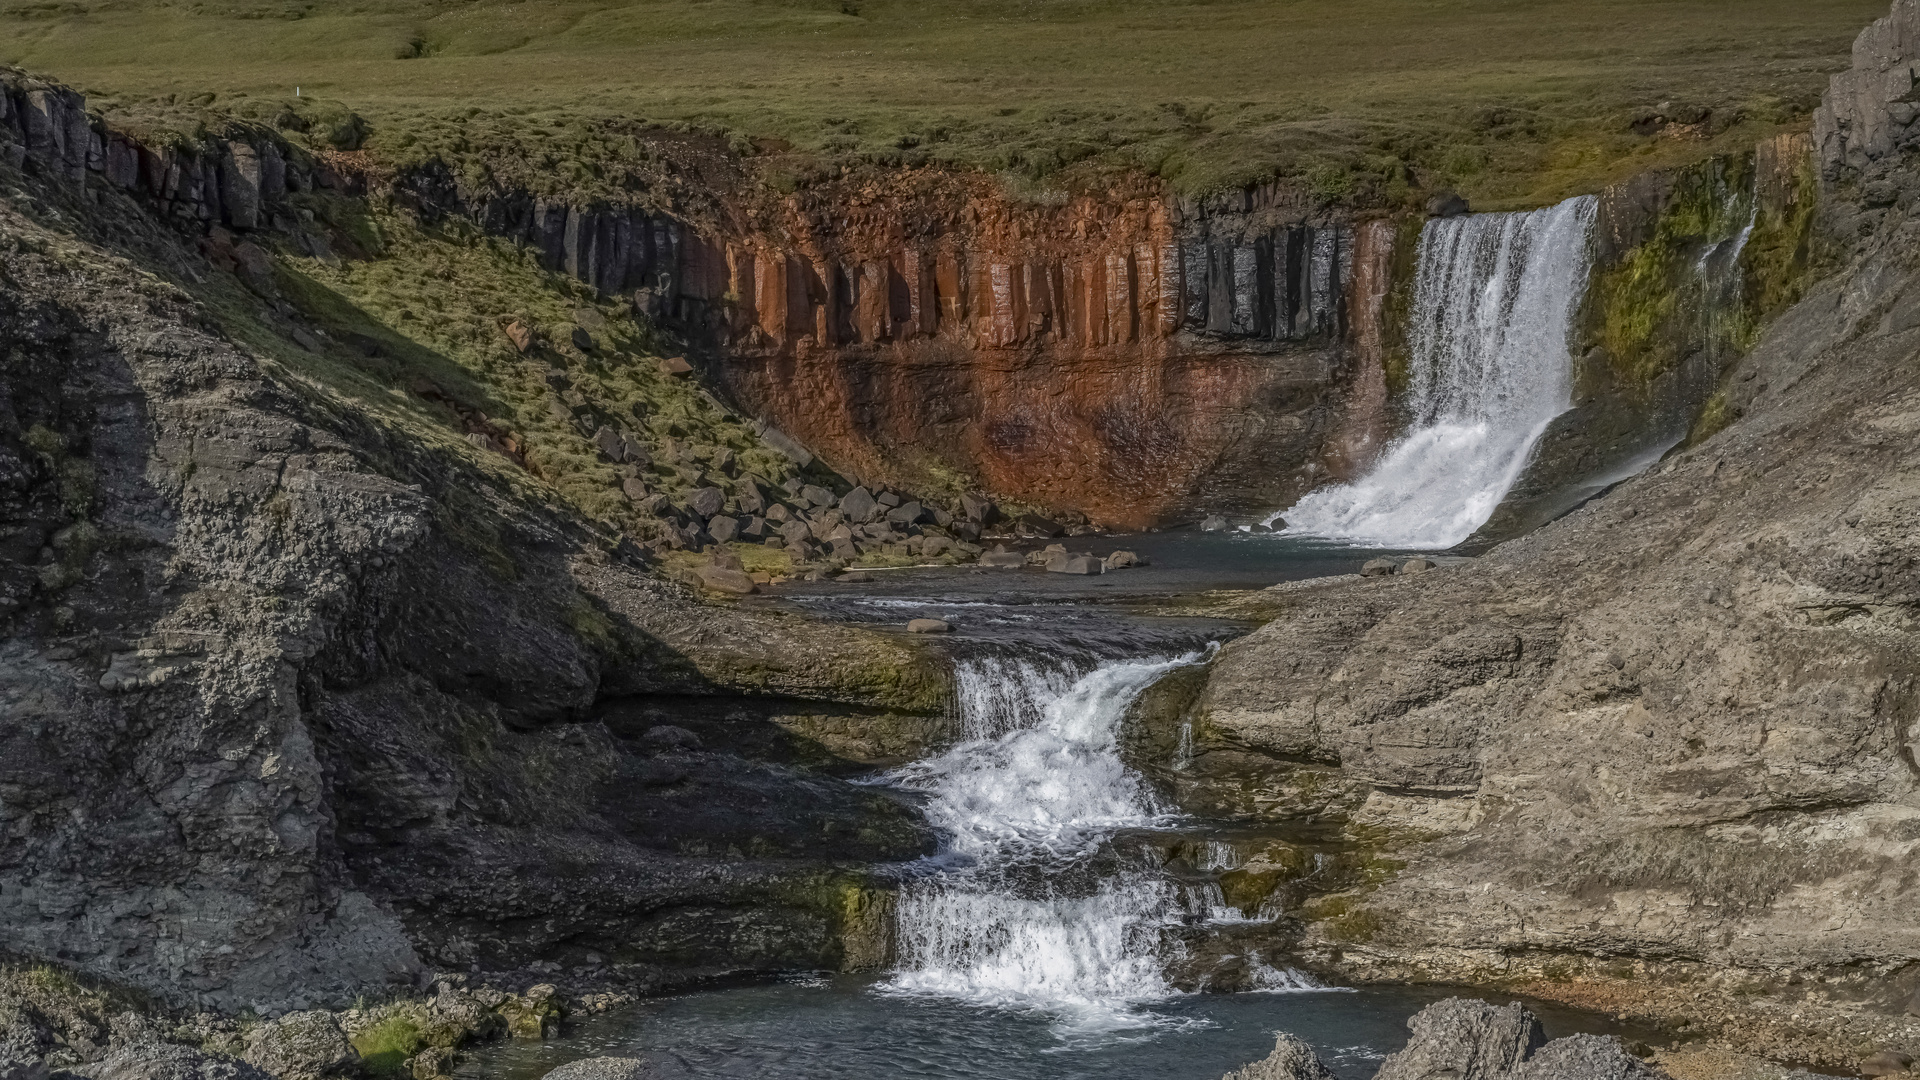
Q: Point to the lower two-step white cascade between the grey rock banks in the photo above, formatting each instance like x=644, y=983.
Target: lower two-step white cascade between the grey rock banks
x=1038, y=906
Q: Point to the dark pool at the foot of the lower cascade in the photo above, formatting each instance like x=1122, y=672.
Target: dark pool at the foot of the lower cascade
x=848, y=1029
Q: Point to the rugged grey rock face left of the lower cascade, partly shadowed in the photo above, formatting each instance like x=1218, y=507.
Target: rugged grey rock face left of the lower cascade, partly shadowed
x=281, y=724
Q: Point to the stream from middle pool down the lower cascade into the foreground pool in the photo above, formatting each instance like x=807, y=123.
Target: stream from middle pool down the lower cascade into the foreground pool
x=1070, y=923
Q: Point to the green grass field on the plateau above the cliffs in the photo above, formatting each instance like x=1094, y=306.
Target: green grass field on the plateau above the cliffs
x=1510, y=101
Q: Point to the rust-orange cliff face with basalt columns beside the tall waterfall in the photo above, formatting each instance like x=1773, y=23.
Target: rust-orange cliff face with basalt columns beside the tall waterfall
x=1124, y=356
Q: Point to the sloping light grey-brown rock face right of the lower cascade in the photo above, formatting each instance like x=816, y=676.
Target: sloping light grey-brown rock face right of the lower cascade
x=1660, y=752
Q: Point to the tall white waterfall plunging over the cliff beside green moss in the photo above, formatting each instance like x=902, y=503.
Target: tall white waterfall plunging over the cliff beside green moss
x=1495, y=301
